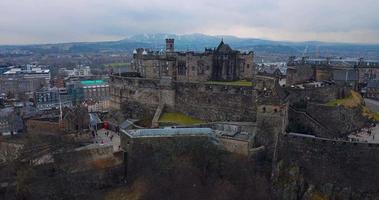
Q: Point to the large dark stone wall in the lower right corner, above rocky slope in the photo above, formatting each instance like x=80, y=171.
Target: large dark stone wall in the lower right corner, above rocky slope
x=338, y=163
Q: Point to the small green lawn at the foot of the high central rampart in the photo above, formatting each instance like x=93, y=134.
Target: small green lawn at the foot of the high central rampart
x=179, y=118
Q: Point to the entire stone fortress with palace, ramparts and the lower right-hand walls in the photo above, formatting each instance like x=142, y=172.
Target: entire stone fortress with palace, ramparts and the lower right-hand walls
x=306, y=139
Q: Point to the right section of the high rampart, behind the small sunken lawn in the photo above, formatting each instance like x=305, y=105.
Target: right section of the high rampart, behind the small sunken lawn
x=212, y=102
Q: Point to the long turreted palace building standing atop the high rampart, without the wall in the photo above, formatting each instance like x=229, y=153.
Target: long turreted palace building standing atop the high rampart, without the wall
x=218, y=64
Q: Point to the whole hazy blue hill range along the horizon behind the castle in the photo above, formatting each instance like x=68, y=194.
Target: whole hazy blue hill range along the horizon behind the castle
x=264, y=49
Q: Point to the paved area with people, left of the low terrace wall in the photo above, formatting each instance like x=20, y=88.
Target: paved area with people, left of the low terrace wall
x=104, y=137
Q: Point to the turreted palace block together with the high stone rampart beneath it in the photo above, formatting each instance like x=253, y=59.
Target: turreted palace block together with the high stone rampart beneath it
x=175, y=81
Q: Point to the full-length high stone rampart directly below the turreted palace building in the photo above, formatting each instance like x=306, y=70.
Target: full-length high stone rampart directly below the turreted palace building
x=209, y=102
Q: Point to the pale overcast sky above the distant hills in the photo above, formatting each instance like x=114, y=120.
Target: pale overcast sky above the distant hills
x=55, y=21
